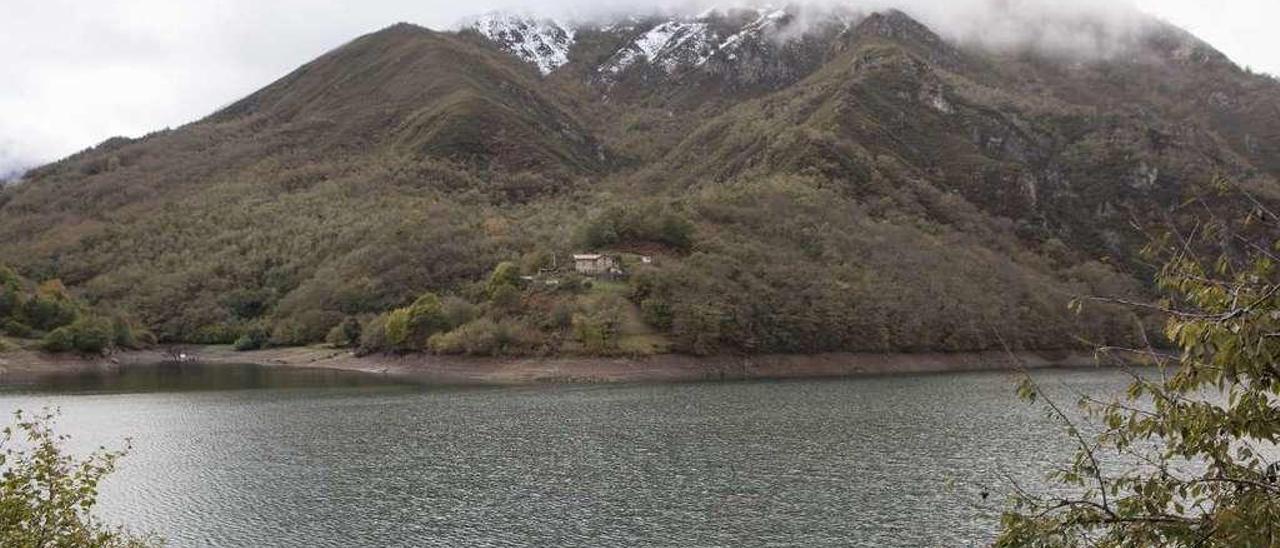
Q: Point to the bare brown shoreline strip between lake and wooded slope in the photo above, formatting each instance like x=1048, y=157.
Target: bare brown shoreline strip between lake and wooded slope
x=28, y=367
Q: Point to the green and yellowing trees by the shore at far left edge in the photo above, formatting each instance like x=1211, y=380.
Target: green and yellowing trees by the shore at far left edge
x=49, y=313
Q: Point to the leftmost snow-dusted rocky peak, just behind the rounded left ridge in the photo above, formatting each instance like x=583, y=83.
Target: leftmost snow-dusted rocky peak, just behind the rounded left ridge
x=545, y=43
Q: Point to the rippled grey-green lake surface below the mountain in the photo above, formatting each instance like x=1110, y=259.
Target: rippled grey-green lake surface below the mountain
x=273, y=458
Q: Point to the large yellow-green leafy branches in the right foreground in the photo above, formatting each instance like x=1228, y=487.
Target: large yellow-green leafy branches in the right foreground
x=1187, y=458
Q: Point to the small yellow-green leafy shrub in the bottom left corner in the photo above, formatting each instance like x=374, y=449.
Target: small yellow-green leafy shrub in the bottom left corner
x=47, y=496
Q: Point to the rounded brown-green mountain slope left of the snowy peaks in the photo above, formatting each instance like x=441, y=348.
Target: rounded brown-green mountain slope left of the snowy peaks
x=299, y=176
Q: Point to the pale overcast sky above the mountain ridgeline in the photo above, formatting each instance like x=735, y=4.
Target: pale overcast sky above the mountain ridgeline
x=76, y=72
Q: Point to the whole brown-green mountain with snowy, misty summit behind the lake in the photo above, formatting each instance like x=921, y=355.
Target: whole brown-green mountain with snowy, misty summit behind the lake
x=806, y=179
